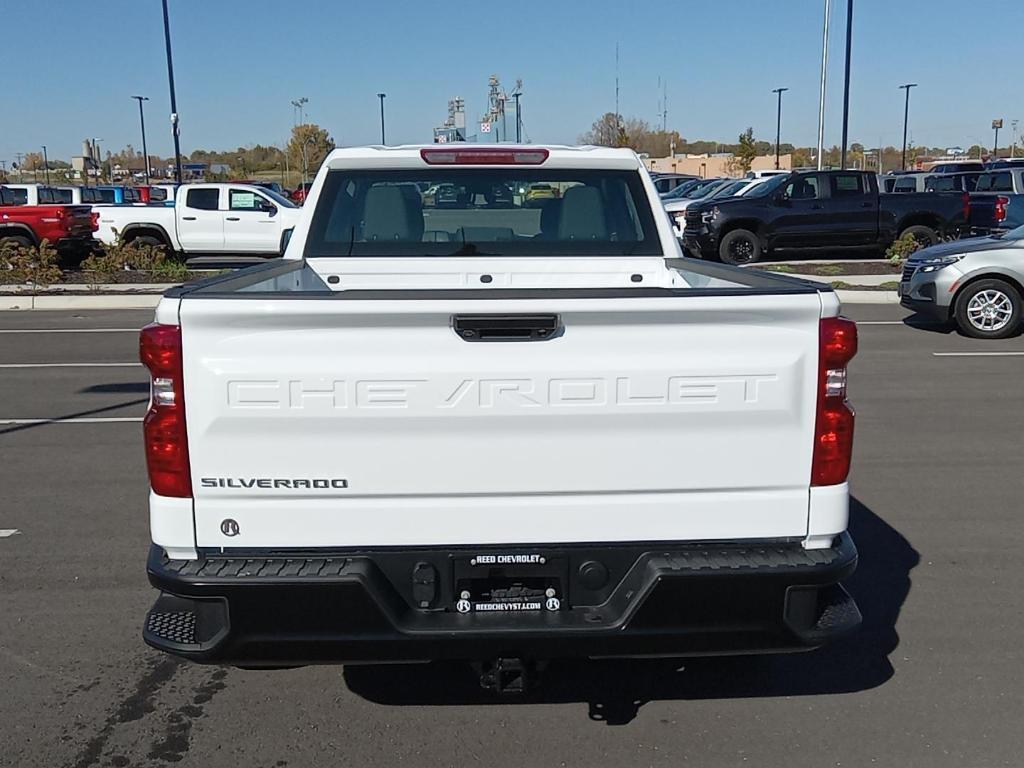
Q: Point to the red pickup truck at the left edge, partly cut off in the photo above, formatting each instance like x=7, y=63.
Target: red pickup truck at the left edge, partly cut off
x=69, y=228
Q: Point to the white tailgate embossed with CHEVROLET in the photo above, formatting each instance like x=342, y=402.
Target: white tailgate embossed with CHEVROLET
x=373, y=423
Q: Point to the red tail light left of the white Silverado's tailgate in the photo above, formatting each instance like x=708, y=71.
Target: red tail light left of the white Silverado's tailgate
x=164, y=425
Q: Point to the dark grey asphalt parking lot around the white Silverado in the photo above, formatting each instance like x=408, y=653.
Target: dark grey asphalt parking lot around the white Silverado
x=935, y=678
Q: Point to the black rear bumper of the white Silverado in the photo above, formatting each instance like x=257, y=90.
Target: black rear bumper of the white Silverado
x=351, y=608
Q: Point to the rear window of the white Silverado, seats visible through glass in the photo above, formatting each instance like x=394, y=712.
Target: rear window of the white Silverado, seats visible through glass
x=483, y=212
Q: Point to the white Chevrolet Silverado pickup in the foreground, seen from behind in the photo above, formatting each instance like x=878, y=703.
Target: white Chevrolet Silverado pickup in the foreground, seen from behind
x=495, y=432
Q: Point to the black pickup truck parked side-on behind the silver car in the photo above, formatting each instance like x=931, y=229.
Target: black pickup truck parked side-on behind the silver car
x=820, y=210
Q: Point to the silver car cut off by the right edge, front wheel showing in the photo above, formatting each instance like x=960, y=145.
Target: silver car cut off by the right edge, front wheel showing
x=974, y=283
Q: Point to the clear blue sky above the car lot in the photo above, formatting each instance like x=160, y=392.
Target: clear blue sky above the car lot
x=238, y=66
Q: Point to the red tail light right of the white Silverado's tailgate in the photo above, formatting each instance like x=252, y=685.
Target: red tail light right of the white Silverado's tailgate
x=834, y=424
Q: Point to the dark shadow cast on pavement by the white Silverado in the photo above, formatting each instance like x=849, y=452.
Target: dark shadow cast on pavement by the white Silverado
x=616, y=691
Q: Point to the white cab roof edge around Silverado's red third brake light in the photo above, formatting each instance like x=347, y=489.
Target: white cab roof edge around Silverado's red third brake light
x=408, y=156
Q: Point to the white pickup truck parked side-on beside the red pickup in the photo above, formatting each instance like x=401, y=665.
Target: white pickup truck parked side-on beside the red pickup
x=207, y=220
